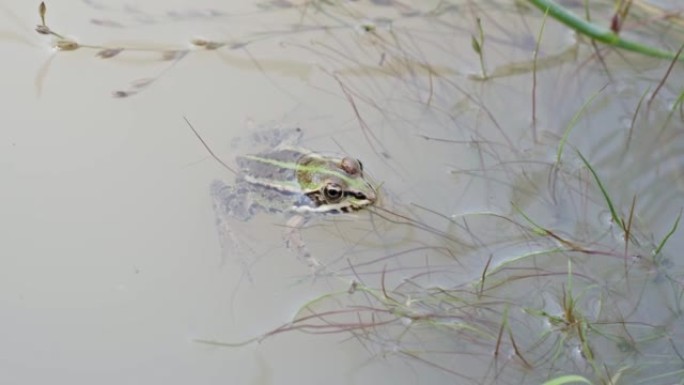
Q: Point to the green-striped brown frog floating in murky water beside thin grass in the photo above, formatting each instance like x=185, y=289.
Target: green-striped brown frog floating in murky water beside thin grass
x=296, y=182
